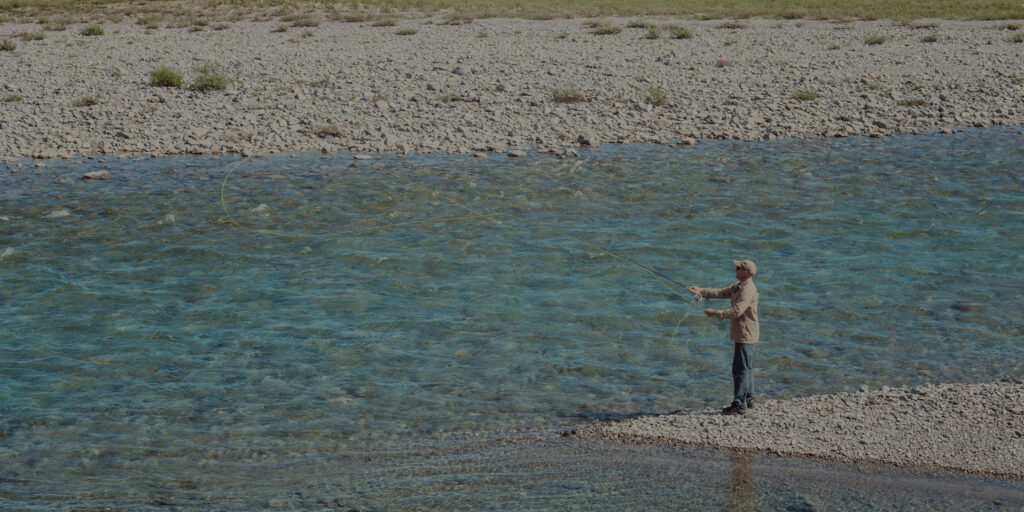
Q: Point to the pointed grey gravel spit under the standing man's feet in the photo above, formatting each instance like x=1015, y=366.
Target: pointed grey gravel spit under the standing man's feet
x=976, y=429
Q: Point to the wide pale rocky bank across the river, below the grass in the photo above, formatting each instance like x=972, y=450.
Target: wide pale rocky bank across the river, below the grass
x=490, y=86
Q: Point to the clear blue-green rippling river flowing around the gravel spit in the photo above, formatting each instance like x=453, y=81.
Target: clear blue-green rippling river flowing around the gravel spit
x=311, y=331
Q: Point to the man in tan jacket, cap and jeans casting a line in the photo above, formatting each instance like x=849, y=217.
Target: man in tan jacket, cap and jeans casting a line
x=744, y=331
